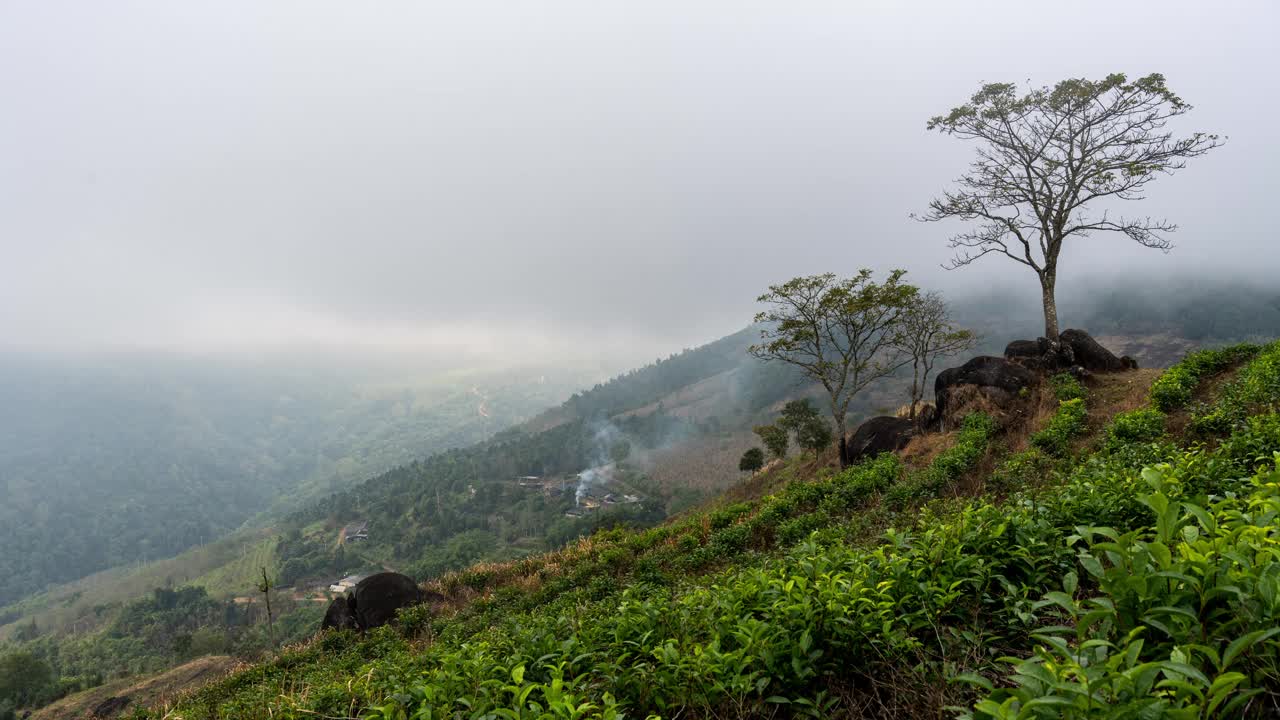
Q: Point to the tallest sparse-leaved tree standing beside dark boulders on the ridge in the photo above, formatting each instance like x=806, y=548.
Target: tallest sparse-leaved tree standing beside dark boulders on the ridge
x=1048, y=160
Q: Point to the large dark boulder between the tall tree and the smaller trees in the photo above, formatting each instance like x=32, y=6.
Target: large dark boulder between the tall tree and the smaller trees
x=985, y=382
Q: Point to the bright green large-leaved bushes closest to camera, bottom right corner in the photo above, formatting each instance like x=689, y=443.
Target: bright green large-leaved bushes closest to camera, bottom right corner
x=1155, y=640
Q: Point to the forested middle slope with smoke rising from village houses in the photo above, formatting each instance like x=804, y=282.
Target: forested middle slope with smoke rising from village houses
x=465, y=505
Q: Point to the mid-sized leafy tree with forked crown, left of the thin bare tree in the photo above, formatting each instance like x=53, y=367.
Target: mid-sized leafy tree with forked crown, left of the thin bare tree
x=842, y=332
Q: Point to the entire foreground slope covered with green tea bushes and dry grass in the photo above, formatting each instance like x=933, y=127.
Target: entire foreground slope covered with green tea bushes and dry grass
x=1116, y=559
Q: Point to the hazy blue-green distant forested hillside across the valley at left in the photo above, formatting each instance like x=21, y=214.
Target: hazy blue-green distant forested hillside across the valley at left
x=138, y=459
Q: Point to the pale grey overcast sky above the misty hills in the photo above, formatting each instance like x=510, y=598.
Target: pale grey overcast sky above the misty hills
x=555, y=177
